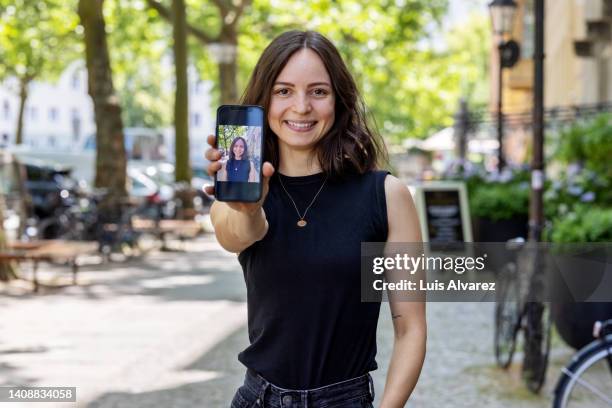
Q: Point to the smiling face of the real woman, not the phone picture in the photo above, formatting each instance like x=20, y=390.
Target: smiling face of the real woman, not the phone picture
x=301, y=107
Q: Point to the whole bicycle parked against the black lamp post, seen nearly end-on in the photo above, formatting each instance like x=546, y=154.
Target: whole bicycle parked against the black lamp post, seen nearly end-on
x=520, y=282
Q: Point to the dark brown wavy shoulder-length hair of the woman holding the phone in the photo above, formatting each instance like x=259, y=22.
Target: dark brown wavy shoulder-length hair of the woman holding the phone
x=352, y=145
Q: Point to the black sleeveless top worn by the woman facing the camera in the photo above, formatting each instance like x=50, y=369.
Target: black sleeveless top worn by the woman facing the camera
x=307, y=325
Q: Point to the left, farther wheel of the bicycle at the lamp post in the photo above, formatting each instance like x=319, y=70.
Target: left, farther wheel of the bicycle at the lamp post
x=507, y=316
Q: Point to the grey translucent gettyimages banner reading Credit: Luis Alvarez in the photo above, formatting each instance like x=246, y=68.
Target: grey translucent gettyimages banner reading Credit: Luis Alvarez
x=477, y=272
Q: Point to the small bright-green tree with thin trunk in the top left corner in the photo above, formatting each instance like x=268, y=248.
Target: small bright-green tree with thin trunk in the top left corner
x=37, y=41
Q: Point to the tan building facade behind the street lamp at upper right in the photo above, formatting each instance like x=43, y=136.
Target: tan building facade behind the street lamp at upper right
x=577, y=68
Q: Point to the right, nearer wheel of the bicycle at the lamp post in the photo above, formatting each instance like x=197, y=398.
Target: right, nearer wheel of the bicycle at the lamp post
x=538, y=329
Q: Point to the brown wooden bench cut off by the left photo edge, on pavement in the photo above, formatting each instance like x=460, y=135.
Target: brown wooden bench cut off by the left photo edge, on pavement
x=48, y=251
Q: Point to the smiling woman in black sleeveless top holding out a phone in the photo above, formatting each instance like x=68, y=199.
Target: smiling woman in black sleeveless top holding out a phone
x=312, y=340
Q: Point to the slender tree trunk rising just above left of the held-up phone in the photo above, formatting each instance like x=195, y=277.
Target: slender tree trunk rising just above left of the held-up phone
x=181, y=102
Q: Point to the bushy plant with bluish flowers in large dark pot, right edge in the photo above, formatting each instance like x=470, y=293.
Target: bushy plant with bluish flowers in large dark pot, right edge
x=578, y=204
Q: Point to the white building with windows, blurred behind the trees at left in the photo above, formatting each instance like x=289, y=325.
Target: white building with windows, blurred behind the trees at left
x=59, y=116
